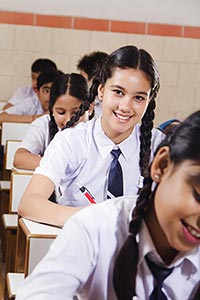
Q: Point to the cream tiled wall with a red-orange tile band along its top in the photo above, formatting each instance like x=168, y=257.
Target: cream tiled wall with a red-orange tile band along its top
x=176, y=49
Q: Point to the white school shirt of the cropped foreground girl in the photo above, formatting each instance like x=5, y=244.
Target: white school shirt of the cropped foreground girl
x=82, y=258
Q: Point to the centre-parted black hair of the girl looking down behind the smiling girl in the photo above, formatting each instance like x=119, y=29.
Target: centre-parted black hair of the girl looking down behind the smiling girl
x=73, y=84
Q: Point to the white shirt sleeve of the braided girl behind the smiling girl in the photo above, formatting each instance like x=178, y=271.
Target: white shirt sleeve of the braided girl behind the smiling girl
x=37, y=137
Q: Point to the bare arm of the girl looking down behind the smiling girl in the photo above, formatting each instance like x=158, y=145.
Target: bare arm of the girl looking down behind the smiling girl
x=24, y=159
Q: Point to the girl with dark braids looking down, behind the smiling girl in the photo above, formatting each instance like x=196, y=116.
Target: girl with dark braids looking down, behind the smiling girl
x=67, y=93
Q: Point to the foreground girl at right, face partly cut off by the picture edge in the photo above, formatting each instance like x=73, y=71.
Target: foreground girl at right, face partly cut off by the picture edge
x=119, y=240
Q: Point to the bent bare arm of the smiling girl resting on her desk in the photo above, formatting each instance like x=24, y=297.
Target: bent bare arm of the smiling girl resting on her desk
x=35, y=205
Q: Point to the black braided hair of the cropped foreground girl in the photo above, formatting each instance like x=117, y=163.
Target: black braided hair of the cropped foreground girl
x=184, y=144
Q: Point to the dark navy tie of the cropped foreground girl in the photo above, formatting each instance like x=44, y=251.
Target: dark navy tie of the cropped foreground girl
x=160, y=274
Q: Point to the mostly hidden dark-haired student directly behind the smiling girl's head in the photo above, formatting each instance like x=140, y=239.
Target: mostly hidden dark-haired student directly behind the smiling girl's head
x=89, y=65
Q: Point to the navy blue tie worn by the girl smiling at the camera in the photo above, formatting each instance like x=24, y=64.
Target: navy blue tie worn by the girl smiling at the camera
x=115, y=177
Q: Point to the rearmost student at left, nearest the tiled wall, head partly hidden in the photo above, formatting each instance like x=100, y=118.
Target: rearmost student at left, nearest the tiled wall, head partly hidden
x=37, y=67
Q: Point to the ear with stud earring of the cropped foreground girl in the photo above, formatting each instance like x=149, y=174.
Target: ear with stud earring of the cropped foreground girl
x=160, y=164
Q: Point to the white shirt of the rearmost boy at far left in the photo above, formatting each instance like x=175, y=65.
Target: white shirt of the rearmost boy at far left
x=22, y=93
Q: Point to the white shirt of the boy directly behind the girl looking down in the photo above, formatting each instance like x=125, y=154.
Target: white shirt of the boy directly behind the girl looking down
x=28, y=106
